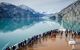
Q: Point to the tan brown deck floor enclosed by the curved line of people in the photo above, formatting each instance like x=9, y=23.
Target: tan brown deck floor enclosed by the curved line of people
x=52, y=43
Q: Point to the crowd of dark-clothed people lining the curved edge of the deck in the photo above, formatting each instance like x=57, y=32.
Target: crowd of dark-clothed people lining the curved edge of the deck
x=30, y=41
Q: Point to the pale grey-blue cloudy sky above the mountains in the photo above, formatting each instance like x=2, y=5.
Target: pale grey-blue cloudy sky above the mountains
x=47, y=6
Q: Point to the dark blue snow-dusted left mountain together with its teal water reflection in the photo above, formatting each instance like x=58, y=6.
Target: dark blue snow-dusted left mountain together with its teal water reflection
x=13, y=17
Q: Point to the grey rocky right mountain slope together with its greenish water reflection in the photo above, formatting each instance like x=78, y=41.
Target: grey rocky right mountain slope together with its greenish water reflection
x=71, y=16
